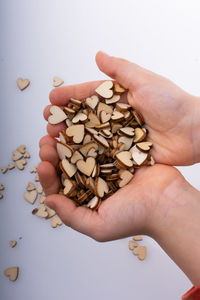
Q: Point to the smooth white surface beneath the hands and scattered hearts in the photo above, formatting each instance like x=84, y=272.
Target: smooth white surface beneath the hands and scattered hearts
x=42, y=39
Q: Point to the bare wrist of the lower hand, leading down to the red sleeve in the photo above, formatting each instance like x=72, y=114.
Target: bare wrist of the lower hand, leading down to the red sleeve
x=176, y=227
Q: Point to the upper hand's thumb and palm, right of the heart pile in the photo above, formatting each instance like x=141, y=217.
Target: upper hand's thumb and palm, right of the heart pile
x=171, y=115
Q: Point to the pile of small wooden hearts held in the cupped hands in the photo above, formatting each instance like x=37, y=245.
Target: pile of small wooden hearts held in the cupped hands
x=103, y=144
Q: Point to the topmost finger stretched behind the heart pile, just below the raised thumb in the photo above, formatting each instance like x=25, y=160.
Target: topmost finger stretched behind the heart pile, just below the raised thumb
x=60, y=96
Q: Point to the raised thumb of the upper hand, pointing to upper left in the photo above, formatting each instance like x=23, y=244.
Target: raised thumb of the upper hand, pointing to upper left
x=128, y=74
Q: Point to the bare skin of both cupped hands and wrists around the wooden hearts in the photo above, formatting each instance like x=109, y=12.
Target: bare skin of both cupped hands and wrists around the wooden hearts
x=158, y=202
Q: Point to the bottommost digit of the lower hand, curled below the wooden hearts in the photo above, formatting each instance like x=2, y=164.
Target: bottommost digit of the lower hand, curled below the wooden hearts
x=81, y=219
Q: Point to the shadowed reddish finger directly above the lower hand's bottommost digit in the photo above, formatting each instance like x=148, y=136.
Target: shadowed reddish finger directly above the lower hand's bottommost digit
x=48, y=178
